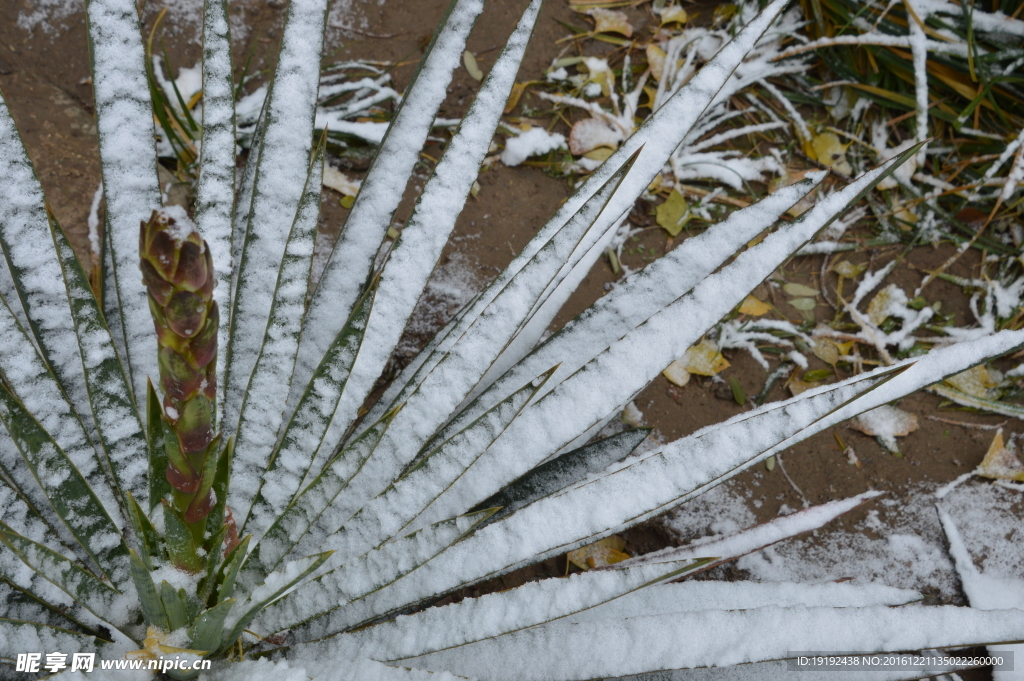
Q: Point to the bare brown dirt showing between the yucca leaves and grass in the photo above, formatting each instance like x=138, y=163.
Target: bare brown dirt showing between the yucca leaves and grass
x=45, y=79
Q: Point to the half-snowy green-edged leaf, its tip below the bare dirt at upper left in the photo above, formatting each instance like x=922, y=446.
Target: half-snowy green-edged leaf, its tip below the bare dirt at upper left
x=116, y=415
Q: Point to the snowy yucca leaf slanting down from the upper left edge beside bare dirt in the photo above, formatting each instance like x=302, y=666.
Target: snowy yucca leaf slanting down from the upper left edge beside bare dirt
x=35, y=269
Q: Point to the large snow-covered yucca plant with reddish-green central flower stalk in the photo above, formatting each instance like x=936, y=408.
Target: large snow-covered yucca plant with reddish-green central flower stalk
x=258, y=492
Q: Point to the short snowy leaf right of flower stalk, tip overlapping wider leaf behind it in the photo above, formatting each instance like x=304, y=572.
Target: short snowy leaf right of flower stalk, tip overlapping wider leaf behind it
x=264, y=403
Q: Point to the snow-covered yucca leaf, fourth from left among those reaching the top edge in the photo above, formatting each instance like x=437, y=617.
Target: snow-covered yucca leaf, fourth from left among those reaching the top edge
x=342, y=282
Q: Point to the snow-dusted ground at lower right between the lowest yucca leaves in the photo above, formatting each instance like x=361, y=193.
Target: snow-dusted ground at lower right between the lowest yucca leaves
x=901, y=543
